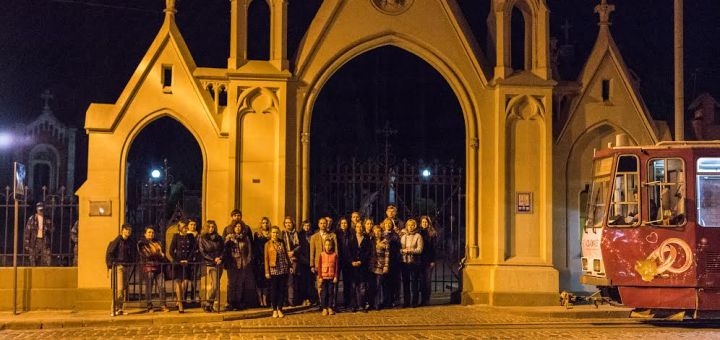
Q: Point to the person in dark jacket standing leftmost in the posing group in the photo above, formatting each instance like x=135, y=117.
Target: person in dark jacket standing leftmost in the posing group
x=120, y=254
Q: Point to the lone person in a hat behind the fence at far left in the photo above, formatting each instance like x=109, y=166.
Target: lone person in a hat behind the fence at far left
x=37, y=237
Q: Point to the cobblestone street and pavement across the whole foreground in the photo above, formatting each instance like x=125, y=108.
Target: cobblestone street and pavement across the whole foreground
x=438, y=322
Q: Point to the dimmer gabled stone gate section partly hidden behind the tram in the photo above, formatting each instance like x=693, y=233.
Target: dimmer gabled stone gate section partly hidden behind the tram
x=607, y=105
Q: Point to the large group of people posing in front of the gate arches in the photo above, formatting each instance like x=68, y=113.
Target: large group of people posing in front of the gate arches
x=377, y=264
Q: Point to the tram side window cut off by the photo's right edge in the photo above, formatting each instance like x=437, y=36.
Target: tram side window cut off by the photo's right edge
x=708, y=191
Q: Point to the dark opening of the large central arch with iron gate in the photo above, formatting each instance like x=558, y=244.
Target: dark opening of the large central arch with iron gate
x=388, y=129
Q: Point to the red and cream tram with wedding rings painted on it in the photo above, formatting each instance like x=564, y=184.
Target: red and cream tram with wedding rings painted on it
x=651, y=238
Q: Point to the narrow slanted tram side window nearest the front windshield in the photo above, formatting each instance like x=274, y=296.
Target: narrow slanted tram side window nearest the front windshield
x=624, y=202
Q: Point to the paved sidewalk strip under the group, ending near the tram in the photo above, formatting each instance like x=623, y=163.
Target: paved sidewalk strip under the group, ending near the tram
x=438, y=315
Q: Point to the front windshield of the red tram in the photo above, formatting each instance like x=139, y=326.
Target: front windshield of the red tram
x=599, y=191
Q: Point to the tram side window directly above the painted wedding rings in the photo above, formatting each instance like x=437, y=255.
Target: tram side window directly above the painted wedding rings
x=666, y=191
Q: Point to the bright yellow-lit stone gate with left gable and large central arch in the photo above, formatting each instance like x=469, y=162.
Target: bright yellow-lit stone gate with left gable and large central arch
x=256, y=149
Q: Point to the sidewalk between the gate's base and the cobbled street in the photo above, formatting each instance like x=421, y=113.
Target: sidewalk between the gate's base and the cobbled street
x=436, y=314
